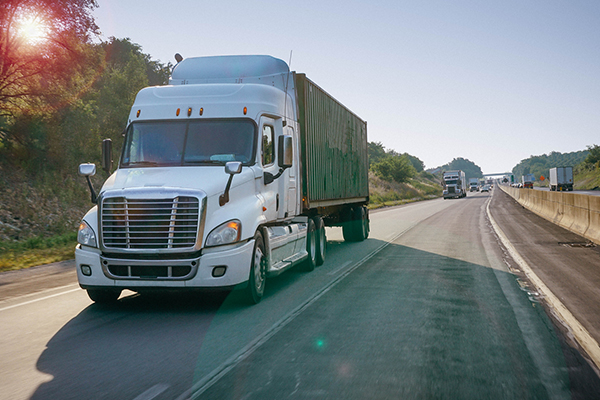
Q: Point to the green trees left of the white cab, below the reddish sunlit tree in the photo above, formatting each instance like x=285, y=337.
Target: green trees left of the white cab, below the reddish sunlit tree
x=58, y=138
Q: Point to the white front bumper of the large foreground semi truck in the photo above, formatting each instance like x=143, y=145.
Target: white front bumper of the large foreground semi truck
x=189, y=273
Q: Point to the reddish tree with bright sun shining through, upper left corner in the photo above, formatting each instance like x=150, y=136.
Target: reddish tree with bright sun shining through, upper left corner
x=40, y=41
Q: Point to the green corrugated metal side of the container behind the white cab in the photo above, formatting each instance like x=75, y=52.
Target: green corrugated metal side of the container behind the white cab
x=334, y=148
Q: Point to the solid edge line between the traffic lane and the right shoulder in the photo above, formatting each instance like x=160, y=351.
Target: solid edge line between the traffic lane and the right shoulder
x=583, y=337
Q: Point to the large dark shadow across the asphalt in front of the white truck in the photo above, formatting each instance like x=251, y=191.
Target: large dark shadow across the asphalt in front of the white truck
x=420, y=318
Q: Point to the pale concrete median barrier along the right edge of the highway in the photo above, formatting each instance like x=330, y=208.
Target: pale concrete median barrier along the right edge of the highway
x=578, y=213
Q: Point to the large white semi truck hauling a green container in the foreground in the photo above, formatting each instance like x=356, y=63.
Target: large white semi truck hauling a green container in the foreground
x=227, y=176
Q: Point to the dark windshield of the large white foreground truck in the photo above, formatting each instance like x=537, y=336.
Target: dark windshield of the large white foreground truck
x=172, y=143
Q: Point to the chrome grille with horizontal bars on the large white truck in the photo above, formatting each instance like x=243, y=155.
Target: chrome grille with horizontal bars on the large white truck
x=150, y=224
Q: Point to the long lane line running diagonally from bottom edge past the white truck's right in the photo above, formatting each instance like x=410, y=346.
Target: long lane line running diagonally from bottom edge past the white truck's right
x=212, y=377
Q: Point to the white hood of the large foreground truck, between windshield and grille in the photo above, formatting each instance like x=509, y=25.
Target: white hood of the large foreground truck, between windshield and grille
x=210, y=180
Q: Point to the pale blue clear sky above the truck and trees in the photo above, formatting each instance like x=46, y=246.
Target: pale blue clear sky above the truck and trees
x=490, y=81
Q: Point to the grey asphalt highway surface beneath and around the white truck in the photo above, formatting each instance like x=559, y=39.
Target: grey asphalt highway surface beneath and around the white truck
x=432, y=305
